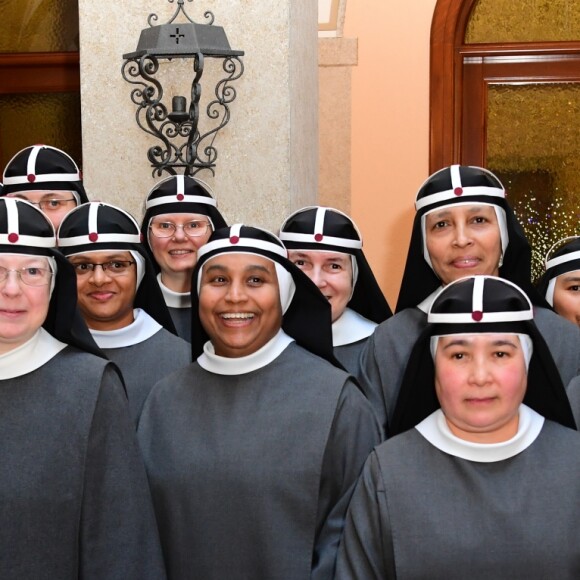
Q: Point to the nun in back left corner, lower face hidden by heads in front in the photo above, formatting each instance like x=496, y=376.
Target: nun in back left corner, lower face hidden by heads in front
x=46, y=177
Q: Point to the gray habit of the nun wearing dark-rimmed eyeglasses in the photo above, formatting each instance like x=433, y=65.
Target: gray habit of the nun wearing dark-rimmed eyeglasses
x=145, y=363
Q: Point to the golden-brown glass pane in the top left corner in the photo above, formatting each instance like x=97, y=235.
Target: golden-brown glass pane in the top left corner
x=39, y=26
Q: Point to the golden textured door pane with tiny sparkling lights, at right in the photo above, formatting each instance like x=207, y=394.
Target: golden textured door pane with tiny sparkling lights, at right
x=533, y=145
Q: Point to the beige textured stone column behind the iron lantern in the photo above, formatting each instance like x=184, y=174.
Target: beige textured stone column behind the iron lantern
x=267, y=160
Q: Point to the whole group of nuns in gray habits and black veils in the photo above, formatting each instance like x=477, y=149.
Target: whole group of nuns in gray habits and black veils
x=185, y=398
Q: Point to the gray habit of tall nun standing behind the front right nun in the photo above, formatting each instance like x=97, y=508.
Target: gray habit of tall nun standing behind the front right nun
x=387, y=351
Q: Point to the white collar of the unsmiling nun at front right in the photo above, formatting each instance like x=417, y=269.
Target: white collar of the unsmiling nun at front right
x=435, y=429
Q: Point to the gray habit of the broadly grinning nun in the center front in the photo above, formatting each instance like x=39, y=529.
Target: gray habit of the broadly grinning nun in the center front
x=251, y=474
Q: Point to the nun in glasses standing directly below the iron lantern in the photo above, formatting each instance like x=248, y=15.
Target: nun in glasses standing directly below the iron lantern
x=180, y=215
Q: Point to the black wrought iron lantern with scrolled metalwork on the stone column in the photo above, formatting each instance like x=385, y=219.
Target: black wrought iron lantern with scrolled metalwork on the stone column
x=182, y=146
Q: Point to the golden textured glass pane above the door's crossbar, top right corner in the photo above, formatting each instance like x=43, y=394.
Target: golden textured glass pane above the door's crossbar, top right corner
x=523, y=21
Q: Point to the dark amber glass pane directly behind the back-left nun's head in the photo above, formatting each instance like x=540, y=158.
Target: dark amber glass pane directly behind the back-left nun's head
x=52, y=118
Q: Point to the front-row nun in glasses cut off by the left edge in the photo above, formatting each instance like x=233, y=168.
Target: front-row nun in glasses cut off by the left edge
x=74, y=494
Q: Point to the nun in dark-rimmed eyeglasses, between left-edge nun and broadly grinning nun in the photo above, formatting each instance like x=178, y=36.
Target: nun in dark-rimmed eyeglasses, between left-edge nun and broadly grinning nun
x=119, y=297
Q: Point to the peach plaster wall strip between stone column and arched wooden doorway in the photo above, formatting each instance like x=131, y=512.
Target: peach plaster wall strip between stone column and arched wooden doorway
x=390, y=126
